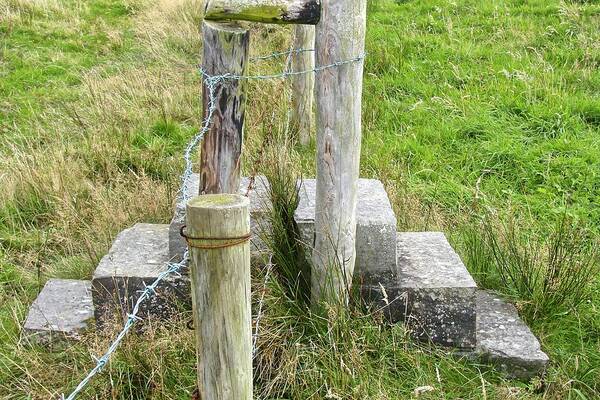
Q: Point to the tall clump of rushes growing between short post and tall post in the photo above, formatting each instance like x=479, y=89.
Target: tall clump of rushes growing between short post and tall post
x=280, y=165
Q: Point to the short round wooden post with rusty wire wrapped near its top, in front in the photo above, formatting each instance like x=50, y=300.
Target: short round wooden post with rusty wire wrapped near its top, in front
x=217, y=232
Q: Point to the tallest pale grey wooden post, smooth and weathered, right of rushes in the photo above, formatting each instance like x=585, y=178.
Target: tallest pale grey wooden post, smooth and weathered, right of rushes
x=340, y=36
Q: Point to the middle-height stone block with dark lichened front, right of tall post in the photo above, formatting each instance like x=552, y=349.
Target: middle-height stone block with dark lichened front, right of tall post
x=433, y=293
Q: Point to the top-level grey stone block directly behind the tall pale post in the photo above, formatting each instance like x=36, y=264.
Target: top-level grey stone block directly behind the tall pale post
x=375, y=229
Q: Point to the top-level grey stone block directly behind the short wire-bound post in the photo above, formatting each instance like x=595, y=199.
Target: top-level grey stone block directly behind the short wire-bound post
x=257, y=192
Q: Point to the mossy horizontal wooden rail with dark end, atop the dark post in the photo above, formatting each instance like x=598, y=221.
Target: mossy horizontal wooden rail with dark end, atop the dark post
x=266, y=11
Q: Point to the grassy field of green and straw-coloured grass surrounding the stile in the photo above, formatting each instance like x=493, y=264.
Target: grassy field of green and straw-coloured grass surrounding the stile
x=482, y=118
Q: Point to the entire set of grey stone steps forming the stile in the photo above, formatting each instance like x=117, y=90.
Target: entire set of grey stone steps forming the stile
x=415, y=278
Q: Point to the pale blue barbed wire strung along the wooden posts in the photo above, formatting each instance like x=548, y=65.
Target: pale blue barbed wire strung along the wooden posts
x=212, y=83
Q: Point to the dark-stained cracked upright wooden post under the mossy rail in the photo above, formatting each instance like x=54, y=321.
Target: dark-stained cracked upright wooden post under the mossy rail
x=225, y=51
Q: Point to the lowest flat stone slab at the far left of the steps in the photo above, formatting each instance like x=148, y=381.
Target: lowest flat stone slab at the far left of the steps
x=62, y=310
